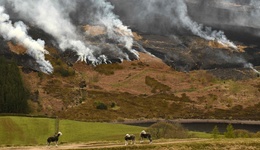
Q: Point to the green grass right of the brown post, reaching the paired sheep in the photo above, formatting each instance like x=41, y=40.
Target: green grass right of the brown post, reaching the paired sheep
x=90, y=131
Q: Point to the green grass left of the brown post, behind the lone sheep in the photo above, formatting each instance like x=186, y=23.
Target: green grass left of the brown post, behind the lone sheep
x=23, y=130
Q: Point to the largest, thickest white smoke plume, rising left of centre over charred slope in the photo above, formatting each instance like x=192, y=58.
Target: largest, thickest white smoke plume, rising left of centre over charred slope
x=54, y=18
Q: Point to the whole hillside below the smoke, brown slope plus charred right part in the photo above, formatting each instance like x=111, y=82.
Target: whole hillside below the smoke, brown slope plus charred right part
x=196, y=85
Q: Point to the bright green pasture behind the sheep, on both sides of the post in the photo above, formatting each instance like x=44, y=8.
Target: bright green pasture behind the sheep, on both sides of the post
x=35, y=131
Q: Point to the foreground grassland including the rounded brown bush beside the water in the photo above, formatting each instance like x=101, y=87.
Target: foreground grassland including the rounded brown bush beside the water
x=18, y=131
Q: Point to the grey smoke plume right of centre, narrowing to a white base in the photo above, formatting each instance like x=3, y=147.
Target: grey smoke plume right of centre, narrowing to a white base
x=164, y=17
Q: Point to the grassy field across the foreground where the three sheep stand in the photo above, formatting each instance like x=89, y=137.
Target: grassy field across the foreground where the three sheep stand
x=33, y=132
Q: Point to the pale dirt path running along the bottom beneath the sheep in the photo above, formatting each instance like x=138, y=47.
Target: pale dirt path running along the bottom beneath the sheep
x=95, y=145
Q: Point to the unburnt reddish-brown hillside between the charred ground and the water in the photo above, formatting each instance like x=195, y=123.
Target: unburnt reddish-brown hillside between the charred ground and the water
x=143, y=89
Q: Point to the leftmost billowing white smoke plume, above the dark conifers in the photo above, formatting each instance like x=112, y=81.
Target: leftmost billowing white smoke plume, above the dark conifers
x=18, y=32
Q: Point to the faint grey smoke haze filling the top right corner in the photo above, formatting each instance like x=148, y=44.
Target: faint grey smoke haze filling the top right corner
x=233, y=14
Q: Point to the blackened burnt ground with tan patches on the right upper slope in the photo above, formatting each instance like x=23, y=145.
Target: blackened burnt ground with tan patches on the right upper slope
x=187, y=53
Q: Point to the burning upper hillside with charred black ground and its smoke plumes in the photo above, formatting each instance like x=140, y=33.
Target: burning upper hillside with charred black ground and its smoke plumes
x=100, y=31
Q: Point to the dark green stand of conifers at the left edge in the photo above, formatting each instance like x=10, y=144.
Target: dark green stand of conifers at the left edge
x=13, y=94
